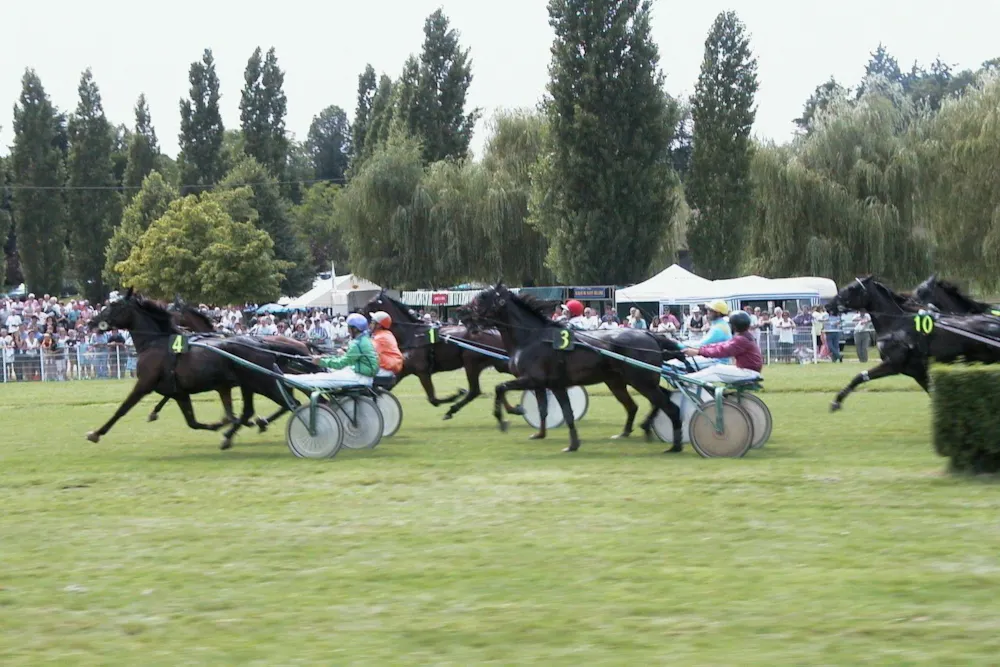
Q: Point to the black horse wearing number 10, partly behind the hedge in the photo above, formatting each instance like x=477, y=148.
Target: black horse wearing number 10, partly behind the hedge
x=909, y=337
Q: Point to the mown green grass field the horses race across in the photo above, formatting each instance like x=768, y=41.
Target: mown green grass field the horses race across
x=843, y=541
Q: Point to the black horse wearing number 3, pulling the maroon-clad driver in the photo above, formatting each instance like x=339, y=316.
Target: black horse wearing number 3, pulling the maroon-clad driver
x=532, y=339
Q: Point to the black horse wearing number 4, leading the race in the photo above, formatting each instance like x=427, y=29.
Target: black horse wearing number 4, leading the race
x=193, y=371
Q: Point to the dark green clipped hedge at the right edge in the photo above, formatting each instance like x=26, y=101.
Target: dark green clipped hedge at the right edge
x=966, y=407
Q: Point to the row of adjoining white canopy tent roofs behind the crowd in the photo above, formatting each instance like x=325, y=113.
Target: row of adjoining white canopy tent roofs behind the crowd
x=676, y=285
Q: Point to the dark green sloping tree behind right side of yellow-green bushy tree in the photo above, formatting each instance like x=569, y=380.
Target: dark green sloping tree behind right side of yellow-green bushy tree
x=274, y=217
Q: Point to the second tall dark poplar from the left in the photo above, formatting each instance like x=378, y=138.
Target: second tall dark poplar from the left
x=94, y=205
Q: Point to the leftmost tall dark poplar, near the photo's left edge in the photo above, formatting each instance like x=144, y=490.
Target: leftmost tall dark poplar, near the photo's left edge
x=36, y=161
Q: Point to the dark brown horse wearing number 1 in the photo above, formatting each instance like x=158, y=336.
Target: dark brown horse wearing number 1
x=423, y=357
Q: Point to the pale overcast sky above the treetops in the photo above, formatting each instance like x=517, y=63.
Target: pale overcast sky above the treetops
x=147, y=48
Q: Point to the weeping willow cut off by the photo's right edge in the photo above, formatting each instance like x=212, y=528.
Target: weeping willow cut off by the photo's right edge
x=960, y=184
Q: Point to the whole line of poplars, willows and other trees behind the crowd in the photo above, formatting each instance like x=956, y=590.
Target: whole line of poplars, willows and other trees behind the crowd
x=608, y=178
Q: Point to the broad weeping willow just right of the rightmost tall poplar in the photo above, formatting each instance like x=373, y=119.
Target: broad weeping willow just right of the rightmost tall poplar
x=840, y=202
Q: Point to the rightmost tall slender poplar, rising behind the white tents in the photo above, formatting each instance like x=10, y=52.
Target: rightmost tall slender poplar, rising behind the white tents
x=719, y=184
